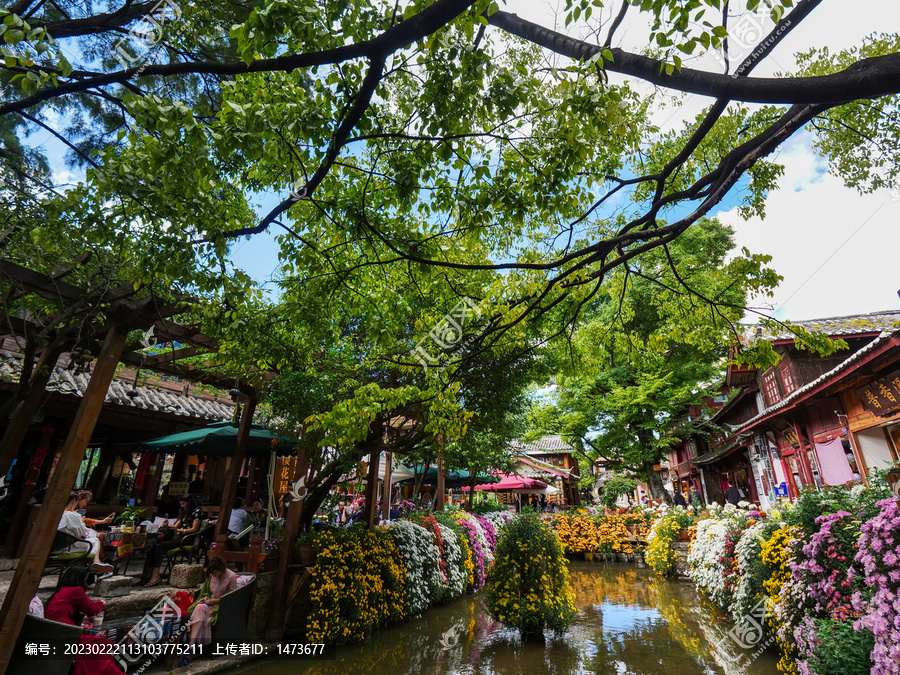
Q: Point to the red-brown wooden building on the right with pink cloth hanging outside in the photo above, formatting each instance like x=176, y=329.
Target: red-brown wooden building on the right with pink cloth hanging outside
x=810, y=420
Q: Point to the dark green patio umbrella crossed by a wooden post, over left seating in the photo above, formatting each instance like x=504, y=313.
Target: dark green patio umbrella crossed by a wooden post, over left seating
x=219, y=440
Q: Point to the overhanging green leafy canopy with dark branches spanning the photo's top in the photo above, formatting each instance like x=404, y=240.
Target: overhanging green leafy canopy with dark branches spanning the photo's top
x=432, y=137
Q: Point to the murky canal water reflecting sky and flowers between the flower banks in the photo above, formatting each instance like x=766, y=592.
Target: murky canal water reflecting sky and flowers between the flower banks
x=629, y=622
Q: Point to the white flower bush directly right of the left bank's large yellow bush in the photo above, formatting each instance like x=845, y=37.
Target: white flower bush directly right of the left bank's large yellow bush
x=422, y=558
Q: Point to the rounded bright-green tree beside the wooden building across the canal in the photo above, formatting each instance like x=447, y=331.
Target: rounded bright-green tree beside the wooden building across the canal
x=653, y=345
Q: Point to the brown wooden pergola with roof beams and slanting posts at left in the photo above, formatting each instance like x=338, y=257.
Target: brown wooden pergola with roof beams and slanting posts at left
x=123, y=312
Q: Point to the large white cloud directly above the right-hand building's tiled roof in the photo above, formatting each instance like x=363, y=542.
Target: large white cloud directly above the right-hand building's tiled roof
x=836, y=249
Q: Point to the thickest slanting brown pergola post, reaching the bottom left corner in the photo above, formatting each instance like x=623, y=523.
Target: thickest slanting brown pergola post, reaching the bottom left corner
x=34, y=555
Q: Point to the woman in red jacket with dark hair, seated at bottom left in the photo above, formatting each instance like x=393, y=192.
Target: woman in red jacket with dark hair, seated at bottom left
x=70, y=604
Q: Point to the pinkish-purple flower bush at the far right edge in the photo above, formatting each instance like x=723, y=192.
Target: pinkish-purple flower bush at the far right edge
x=878, y=555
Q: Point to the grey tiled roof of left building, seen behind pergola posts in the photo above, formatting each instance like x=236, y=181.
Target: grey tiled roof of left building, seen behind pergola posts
x=157, y=399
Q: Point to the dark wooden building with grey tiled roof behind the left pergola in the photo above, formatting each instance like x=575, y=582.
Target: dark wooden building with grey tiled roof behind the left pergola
x=113, y=467
